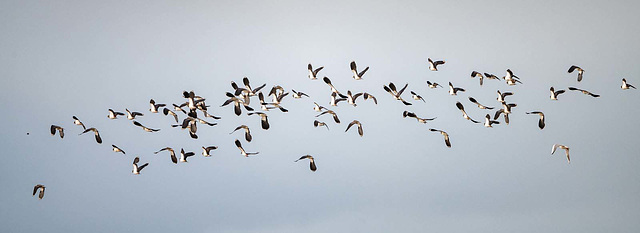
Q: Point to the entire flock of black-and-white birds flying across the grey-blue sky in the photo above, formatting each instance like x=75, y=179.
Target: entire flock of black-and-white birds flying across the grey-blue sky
x=193, y=110
